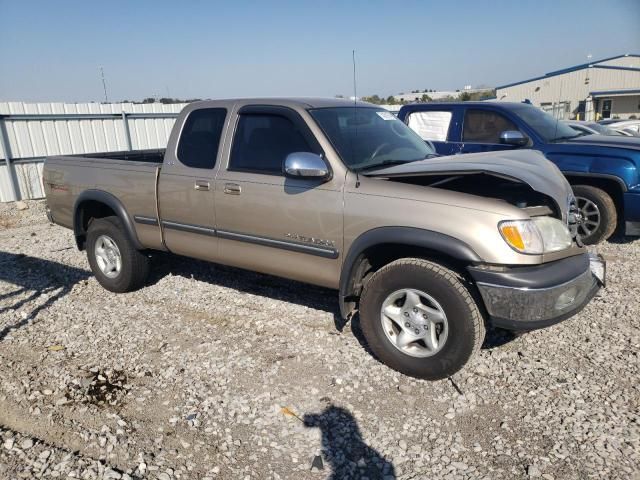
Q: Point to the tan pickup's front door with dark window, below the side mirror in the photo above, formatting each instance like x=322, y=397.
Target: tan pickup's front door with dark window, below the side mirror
x=266, y=221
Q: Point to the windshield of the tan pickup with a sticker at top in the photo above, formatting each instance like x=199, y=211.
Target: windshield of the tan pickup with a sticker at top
x=366, y=137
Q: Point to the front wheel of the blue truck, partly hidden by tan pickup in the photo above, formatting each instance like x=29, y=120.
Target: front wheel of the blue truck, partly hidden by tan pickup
x=597, y=206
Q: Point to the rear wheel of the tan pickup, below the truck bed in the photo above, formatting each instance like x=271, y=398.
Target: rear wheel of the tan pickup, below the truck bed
x=133, y=266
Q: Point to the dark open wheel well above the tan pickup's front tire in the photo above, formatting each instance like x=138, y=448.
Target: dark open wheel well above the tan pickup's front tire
x=375, y=257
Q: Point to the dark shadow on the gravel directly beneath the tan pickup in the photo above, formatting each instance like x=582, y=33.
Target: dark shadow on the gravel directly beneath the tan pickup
x=317, y=298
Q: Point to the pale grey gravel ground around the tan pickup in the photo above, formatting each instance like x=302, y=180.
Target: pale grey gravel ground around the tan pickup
x=212, y=372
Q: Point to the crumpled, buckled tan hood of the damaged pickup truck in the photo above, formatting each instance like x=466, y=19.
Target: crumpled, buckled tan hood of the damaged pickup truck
x=527, y=166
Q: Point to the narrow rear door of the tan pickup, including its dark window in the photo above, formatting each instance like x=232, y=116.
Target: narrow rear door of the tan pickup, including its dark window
x=186, y=187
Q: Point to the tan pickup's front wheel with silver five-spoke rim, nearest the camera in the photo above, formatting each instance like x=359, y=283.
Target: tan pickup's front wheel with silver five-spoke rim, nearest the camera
x=465, y=328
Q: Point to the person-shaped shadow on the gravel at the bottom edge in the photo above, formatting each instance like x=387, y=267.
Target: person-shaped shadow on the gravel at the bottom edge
x=344, y=449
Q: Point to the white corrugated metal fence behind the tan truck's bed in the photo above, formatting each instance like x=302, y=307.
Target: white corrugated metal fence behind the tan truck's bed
x=31, y=132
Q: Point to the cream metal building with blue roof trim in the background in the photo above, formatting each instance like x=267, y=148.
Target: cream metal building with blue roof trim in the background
x=600, y=89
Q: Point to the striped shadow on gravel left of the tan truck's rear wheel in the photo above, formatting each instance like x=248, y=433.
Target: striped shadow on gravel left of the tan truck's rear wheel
x=38, y=276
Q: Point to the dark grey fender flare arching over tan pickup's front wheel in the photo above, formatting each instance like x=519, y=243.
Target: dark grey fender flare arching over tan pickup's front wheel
x=409, y=236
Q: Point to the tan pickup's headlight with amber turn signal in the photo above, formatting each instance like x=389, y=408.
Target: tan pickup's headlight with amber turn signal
x=536, y=236
